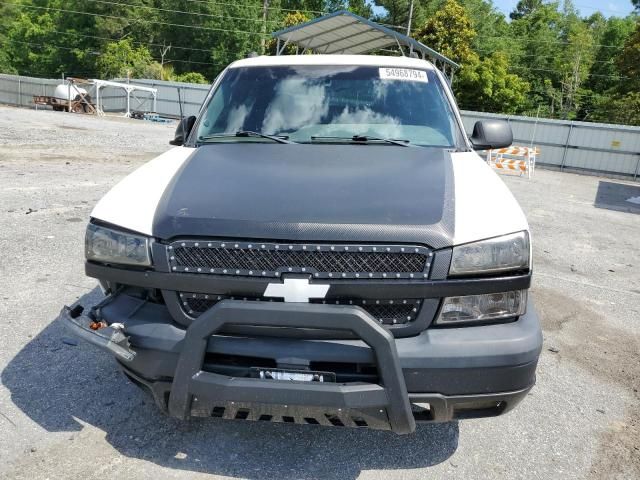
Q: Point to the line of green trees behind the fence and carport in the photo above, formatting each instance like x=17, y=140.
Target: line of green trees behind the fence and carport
x=547, y=57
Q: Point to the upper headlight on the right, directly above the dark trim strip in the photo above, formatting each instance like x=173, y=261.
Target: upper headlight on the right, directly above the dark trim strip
x=500, y=254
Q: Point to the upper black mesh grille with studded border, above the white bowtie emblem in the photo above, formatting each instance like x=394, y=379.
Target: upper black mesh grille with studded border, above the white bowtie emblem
x=321, y=261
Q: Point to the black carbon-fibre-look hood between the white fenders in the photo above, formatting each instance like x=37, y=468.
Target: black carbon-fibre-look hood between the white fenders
x=351, y=193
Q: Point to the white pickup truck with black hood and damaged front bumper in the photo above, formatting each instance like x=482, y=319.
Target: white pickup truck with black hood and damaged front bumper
x=322, y=246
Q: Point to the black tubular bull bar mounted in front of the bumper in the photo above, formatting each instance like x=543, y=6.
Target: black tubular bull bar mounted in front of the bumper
x=194, y=388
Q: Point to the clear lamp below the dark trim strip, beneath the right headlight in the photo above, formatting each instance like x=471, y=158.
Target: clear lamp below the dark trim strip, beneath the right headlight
x=482, y=308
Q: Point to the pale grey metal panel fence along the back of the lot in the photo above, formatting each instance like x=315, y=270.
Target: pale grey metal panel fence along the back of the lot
x=567, y=145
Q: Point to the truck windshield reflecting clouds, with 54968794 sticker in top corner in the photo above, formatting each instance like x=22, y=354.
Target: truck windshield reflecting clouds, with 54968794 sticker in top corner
x=310, y=103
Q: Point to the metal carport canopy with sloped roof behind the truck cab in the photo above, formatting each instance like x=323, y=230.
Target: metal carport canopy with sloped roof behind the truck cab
x=344, y=32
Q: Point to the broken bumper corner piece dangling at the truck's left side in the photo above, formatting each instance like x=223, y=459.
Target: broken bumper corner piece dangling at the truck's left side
x=110, y=338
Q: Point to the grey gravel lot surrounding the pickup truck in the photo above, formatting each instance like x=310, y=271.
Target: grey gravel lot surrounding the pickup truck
x=67, y=412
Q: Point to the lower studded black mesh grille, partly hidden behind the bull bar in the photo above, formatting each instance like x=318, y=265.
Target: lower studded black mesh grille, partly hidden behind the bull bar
x=387, y=312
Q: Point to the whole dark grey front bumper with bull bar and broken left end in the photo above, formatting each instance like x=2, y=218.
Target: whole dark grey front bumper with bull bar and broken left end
x=457, y=372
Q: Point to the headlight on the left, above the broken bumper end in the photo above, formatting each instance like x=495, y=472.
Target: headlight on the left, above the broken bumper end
x=111, y=246
